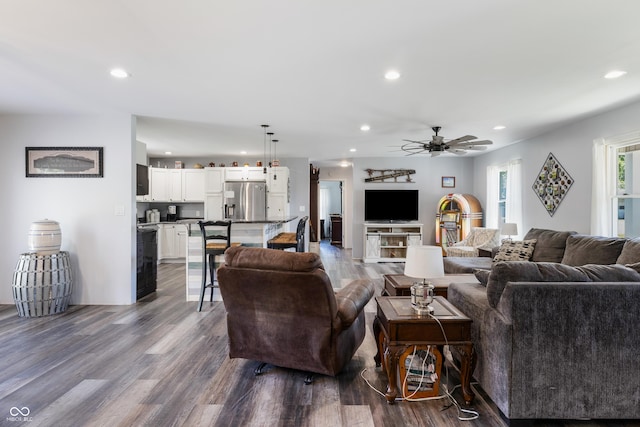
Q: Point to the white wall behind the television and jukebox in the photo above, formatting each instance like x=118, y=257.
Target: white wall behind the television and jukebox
x=427, y=179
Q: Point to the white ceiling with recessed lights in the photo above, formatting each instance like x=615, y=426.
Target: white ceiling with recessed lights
x=205, y=74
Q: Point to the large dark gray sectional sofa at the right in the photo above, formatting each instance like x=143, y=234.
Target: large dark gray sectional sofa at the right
x=558, y=337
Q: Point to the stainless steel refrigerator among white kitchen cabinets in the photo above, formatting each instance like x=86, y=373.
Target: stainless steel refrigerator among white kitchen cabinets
x=245, y=200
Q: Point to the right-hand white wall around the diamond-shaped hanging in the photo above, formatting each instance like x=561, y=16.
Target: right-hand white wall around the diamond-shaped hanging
x=571, y=145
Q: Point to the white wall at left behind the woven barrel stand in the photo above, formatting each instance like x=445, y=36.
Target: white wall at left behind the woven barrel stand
x=101, y=244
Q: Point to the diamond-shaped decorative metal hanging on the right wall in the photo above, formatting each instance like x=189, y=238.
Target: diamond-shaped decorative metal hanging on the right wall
x=552, y=184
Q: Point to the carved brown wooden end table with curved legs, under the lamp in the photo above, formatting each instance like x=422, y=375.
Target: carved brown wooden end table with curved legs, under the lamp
x=397, y=327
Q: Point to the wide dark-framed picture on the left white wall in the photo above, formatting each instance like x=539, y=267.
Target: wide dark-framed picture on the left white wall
x=78, y=162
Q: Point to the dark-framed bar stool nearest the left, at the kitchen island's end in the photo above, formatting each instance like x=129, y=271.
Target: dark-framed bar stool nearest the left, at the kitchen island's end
x=216, y=238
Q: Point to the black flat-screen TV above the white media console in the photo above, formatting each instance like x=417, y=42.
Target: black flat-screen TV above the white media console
x=390, y=205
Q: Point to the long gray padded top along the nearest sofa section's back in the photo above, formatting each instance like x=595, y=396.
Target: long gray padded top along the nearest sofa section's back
x=523, y=271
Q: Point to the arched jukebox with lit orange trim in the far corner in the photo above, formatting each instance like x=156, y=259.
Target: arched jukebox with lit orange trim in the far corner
x=457, y=214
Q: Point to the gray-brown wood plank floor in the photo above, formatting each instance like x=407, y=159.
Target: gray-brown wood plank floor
x=161, y=363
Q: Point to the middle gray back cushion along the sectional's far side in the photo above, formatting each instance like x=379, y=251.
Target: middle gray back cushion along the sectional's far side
x=582, y=249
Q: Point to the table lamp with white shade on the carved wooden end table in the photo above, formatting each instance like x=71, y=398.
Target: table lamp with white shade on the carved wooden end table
x=423, y=262
